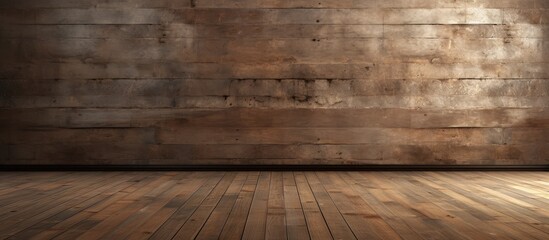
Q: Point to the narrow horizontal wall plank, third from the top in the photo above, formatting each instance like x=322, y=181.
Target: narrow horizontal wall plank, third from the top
x=179, y=30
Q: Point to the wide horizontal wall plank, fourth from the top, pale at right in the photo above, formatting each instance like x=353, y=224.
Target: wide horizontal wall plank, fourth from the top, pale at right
x=300, y=51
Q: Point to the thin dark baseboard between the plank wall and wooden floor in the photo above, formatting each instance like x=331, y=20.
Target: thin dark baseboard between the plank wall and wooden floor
x=274, y=167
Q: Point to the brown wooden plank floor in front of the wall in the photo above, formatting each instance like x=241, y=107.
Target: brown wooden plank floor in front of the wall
x=274, y=205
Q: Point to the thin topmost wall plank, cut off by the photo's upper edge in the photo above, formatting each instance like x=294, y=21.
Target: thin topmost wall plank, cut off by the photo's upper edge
x=276, y=4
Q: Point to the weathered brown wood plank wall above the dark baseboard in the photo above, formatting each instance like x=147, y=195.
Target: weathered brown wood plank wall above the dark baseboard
x=274, y=82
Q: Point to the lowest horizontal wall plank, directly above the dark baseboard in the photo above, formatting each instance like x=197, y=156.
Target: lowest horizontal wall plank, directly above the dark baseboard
x=279, y=154
